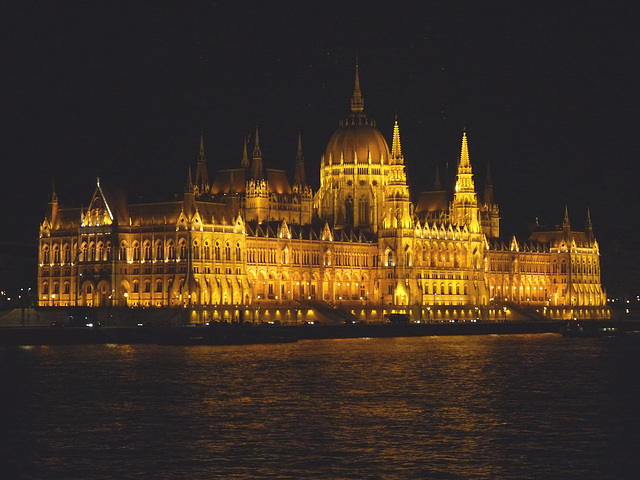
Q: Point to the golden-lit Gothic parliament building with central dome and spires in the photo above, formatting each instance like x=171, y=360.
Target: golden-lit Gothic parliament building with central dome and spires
x=252, y=245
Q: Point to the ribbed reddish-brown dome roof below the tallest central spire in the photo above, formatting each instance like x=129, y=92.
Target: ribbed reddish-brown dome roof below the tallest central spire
x=357, y=140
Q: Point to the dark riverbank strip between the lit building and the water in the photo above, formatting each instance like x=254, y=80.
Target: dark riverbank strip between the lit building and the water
x=250, y=334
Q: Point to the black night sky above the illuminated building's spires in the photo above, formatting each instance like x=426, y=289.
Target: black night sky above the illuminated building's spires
x=548, y=94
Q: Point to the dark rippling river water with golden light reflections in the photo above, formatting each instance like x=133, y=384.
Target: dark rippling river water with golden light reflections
x=462, y=407
